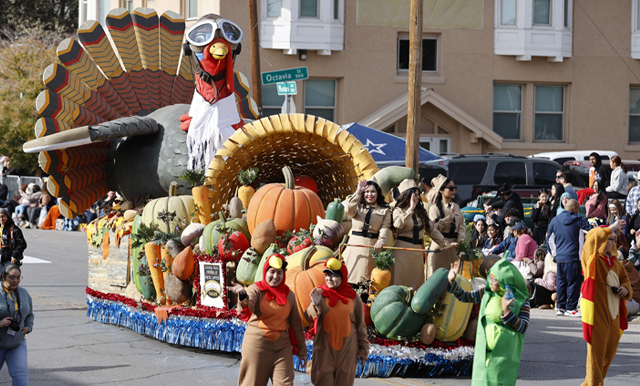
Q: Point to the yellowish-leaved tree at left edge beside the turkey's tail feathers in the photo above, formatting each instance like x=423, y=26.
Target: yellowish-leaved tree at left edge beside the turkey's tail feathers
x=23, y=58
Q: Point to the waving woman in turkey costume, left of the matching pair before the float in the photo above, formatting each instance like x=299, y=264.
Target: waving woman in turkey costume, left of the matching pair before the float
x=274, y=326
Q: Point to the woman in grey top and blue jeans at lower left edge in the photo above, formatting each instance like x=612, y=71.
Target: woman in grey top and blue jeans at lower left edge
x=16, y=321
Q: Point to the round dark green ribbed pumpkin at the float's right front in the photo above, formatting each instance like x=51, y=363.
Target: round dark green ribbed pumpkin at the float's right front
x=393, y=317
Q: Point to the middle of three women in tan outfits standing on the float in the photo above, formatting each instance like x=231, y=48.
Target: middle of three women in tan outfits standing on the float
x=411, y=221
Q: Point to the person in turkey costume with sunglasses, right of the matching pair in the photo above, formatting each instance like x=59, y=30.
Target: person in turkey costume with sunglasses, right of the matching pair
x=341, y=334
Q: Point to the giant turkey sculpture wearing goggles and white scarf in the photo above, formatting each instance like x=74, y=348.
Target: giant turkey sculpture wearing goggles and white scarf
x=104, y=127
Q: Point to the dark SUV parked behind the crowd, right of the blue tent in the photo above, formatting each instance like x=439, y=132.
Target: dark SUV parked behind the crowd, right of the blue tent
x=475, y=174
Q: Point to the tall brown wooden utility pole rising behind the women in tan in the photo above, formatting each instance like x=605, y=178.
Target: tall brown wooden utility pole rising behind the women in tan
x=415, y=82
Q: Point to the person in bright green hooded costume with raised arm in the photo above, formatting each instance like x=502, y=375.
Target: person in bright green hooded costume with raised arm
x=501, y=330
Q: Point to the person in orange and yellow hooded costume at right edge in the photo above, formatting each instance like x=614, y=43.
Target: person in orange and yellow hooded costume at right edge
x=605, y=290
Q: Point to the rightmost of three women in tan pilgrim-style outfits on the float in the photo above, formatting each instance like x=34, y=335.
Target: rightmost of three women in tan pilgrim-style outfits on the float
x=448, y=219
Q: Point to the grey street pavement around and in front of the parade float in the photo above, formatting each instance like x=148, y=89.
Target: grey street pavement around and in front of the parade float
x=67, y=348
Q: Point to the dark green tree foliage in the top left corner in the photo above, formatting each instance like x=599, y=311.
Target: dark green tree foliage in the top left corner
x=48, y=15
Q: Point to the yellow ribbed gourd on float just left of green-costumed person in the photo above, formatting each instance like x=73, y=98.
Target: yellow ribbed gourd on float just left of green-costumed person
x=451, y=316
